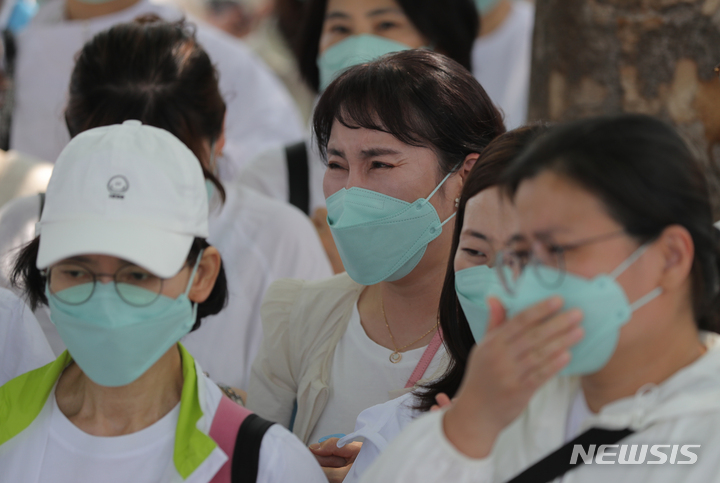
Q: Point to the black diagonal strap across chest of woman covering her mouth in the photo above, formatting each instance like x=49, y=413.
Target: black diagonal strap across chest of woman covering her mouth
x=558, y=463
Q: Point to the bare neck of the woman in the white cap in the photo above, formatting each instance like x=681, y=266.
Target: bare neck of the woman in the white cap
x=114, y=411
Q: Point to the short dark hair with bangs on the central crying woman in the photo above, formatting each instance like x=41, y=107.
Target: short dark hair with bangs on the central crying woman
x=421, y=97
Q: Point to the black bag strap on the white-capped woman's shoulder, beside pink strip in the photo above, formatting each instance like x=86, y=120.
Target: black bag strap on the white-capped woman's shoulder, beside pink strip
x=246, y=456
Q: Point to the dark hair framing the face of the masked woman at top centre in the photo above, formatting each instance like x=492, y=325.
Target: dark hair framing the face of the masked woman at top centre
x=450, y=26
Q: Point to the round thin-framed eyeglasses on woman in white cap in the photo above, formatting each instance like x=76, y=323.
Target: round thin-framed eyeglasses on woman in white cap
x=74, y=284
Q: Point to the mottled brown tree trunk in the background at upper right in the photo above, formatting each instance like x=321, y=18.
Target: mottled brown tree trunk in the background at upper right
x=593, y=57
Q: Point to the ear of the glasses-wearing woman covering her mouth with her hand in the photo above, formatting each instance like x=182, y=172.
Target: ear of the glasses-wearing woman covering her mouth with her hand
x=678, y=251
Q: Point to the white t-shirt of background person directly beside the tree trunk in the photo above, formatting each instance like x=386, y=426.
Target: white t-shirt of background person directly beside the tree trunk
x=501, y=63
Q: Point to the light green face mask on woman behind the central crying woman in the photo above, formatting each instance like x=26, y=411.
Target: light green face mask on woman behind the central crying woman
x=353, y=51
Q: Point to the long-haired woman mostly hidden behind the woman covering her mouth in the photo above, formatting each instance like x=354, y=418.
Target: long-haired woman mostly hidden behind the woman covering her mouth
x=486, y=222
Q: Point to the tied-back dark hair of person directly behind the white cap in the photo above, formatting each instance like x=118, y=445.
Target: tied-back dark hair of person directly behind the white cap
x=153, y=71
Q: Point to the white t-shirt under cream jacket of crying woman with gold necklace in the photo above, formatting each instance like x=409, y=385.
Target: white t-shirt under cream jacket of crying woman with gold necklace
x=363, y=376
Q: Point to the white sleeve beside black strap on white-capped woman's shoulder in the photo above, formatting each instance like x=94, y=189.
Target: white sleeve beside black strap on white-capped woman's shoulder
x=283, y=458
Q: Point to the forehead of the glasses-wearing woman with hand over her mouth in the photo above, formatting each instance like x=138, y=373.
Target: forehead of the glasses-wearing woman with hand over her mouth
x=550, y=202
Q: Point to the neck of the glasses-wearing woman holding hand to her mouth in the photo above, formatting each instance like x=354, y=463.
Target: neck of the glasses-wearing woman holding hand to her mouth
x=629, y=370
